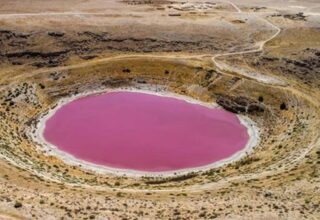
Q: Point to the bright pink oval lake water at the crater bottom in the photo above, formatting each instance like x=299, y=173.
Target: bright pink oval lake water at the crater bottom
x=137, y=131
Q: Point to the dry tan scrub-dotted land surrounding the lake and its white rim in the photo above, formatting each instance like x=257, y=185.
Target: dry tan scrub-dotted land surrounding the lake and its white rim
x=256, y=58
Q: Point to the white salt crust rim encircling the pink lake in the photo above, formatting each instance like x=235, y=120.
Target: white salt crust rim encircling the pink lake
x=52, y=150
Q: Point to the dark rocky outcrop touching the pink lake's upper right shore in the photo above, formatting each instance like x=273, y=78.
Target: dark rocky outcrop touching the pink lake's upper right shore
x=239, y=104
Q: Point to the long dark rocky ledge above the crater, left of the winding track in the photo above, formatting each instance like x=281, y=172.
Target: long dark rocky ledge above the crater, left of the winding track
x=19, y=47
